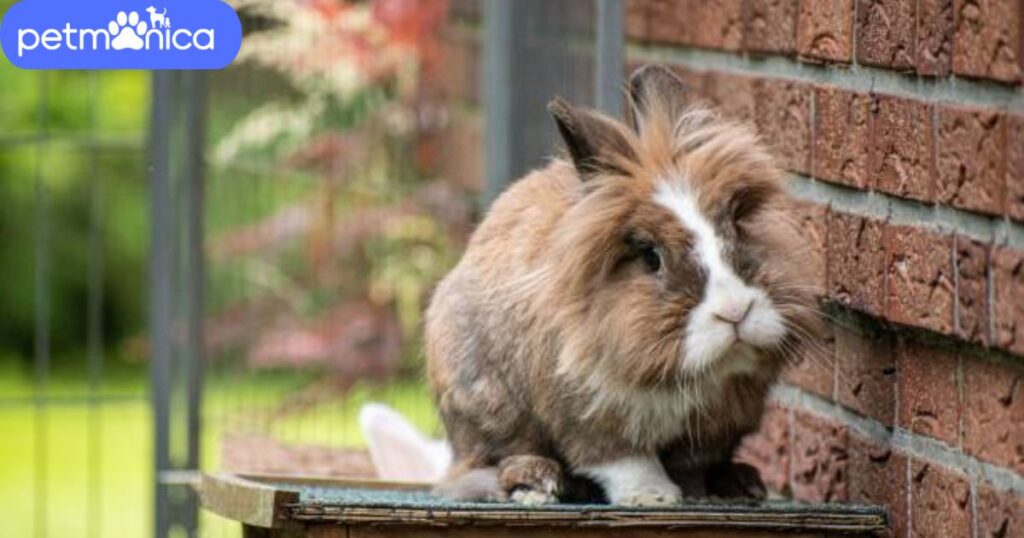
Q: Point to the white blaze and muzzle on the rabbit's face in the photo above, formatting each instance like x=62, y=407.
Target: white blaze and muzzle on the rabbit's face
x=708, y=338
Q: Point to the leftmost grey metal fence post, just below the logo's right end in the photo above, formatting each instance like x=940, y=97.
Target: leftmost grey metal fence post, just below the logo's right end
x=177, y=293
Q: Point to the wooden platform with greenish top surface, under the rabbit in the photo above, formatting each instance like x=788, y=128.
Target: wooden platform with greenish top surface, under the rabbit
x=291, y=507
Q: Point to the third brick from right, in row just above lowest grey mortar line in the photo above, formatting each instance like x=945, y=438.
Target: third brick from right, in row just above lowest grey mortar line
x=867, y=374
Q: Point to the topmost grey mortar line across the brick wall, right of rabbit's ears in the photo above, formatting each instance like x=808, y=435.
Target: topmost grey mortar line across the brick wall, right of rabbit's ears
x=852, y=77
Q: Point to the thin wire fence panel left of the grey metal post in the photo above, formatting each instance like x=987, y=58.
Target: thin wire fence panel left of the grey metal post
x=67, y=170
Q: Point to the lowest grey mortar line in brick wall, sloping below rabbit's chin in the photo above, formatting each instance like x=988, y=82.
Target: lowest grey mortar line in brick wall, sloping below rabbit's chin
x=916, y=446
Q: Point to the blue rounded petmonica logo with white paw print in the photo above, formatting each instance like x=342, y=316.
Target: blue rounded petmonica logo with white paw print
x=121, y=34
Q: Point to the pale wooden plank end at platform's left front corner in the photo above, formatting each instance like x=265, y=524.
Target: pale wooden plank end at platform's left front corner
x=246, y=502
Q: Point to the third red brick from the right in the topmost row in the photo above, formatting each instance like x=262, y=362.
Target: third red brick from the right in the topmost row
x=886, y=33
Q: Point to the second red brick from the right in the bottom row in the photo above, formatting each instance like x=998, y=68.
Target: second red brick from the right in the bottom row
x=941, y=503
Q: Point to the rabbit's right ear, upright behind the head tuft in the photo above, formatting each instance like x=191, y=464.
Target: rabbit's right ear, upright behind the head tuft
x=656, y=90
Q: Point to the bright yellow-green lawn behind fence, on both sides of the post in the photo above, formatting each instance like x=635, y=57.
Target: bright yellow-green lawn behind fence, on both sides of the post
x=88, y=472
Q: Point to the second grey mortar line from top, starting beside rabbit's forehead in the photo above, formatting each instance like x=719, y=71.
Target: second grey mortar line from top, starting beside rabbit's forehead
x=998, y=231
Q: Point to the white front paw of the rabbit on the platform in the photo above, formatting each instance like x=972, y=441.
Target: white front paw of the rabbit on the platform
x=635, y=482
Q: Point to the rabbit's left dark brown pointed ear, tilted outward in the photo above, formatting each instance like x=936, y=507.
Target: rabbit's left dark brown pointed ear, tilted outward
x=595, y=143
